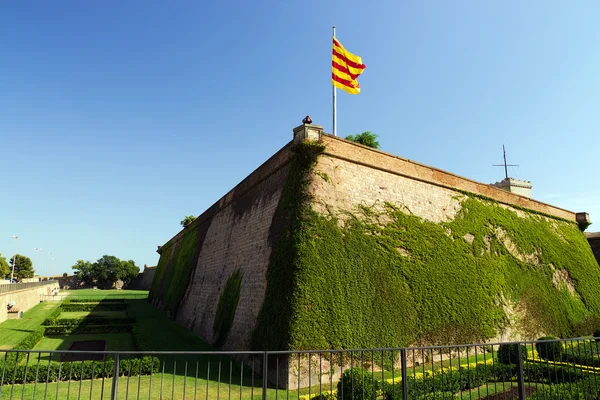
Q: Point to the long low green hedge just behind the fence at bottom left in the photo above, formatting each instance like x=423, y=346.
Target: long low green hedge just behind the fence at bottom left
x=79, y=370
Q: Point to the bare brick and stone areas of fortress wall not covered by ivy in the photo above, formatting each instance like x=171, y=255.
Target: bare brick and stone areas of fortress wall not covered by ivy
x=238, y=232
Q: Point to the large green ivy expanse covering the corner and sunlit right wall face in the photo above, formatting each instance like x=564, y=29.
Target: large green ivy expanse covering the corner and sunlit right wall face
x=364, y=284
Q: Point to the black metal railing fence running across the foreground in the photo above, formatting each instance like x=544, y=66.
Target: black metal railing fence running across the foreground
x=554, y=369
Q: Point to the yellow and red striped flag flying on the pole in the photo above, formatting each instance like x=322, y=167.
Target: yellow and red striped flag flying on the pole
x=345, y=68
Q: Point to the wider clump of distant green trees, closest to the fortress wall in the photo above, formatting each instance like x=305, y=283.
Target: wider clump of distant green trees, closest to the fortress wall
x=106, y=271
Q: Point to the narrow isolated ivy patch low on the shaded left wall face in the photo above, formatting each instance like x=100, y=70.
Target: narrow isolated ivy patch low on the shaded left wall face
x=226, y=308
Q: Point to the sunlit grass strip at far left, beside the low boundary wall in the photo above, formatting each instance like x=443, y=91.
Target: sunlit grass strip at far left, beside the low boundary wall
x=15, y=330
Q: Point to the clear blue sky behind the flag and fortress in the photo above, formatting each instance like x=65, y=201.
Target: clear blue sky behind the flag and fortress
x=118, y=118
